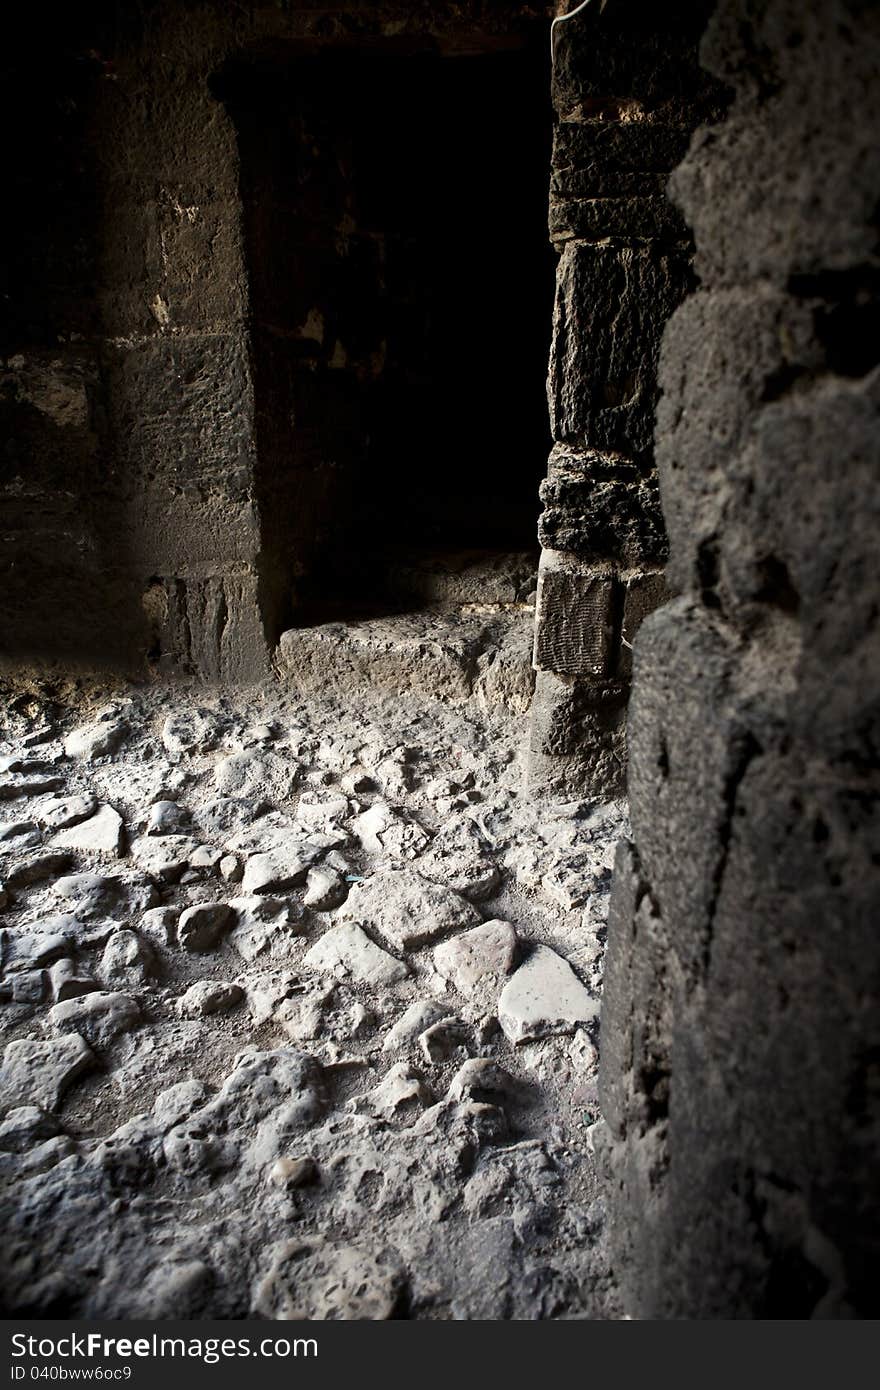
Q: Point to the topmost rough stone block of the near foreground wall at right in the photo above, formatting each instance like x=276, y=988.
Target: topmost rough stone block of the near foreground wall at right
x=811, y=91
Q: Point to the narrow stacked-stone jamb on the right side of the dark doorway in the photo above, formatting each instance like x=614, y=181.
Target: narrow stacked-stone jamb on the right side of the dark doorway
x=628, y=94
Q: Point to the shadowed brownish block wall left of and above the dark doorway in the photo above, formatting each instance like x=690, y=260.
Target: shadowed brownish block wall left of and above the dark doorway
x=138, y=525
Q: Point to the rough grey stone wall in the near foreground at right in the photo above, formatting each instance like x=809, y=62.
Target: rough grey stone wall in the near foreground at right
x=740, y=1018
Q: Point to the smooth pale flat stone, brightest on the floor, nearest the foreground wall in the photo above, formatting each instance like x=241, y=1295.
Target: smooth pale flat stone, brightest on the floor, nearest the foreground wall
x=544, y=997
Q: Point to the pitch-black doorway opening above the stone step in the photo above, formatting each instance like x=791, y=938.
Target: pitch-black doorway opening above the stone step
x=401, y=295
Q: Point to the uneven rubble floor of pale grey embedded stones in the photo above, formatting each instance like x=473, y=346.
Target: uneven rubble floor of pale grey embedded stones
x=300, y=1003
